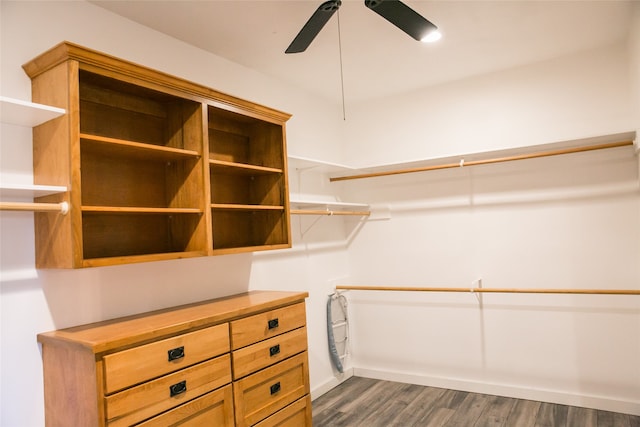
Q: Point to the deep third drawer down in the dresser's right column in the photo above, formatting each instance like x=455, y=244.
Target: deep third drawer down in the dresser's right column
x=266, y=392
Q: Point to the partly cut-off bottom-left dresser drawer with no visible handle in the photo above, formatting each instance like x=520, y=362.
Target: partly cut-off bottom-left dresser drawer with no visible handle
x=212, y=409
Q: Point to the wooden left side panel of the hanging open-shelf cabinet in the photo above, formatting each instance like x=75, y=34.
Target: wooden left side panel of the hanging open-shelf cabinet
x=52, y=165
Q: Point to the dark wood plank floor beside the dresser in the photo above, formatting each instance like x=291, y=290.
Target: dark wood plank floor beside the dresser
x=374, y=403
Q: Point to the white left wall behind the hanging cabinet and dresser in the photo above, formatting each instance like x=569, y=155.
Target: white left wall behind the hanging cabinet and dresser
x=36, y=301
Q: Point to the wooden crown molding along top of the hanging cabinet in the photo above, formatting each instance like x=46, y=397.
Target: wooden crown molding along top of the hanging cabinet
x=66, y=51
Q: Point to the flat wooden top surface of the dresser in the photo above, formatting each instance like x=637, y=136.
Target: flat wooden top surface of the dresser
x=124, y=332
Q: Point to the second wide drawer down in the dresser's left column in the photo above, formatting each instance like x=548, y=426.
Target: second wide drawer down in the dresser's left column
x=146, y=400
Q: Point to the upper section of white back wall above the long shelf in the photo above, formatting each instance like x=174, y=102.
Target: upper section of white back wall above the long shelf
x=582, y=95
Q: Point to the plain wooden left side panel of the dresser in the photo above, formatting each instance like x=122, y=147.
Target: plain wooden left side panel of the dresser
x=70, y=389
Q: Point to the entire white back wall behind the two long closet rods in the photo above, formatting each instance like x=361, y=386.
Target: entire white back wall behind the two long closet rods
x=562, y=222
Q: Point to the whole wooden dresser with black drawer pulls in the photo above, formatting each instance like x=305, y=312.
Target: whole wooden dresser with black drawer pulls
x=239, y=360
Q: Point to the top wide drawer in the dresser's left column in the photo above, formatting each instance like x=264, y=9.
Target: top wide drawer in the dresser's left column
x=139, y=364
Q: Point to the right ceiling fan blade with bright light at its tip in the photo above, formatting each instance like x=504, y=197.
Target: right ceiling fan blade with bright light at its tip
x=402, y=16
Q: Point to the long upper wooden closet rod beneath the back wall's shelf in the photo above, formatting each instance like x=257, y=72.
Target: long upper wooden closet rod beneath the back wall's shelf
x=463, y=163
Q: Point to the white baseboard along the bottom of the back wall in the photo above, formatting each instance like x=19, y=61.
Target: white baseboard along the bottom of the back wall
x=586, y=401
